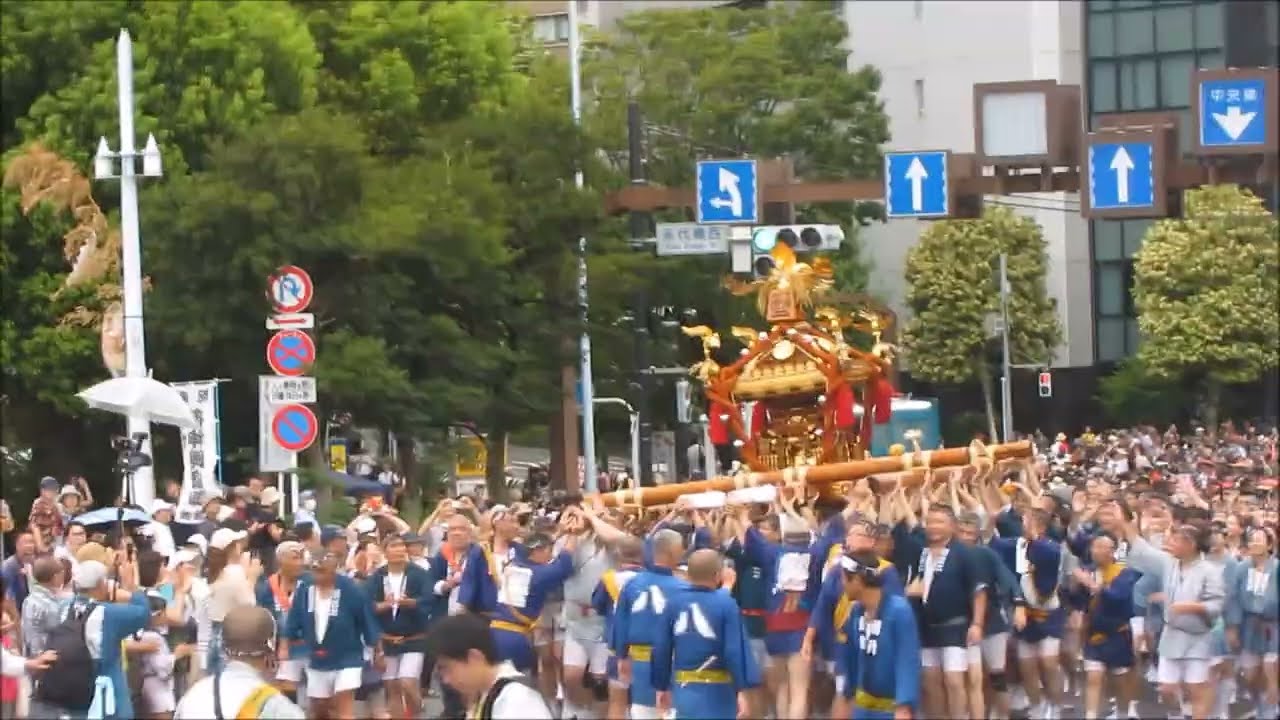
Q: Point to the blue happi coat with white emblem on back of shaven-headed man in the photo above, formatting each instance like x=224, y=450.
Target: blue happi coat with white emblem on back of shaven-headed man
x=702, y=655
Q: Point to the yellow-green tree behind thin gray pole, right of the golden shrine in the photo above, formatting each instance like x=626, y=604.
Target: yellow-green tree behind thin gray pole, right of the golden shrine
x=953, y=291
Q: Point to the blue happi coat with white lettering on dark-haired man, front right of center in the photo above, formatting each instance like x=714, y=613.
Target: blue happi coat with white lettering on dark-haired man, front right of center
x=881, y=668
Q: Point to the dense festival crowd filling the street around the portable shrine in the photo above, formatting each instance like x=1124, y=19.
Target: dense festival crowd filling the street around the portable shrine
x=1109, y=576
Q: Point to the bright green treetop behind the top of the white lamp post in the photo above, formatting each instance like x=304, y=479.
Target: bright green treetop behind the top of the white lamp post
x=203, y=71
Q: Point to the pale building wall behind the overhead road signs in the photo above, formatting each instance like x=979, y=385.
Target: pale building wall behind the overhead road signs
x=931, y=54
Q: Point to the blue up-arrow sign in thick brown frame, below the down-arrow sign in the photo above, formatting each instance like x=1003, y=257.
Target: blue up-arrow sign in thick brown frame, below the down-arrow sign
x=1124, y=174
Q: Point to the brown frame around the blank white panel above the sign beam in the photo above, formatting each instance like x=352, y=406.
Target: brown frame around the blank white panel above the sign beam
x=1062, y=121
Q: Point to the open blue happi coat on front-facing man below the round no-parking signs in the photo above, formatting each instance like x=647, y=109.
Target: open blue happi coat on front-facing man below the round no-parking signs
x=353, y=626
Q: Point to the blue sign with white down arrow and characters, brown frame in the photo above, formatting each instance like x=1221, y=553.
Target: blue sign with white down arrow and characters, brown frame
x=1236, y=111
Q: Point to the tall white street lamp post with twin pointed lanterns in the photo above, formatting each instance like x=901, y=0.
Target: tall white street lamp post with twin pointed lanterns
x=131, y=266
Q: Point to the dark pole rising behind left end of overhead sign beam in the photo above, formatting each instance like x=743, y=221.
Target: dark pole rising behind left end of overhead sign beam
x=639, y=227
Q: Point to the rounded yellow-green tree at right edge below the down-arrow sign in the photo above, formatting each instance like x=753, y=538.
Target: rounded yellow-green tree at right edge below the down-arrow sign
x=1206, y=288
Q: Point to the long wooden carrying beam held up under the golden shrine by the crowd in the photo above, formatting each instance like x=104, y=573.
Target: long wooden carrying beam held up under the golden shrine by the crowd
x=822, y=475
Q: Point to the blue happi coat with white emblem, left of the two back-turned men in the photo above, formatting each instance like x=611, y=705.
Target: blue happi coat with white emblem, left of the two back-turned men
x=637, y=622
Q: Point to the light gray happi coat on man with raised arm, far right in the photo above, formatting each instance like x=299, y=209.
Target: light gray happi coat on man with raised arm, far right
x=1186, y=636
